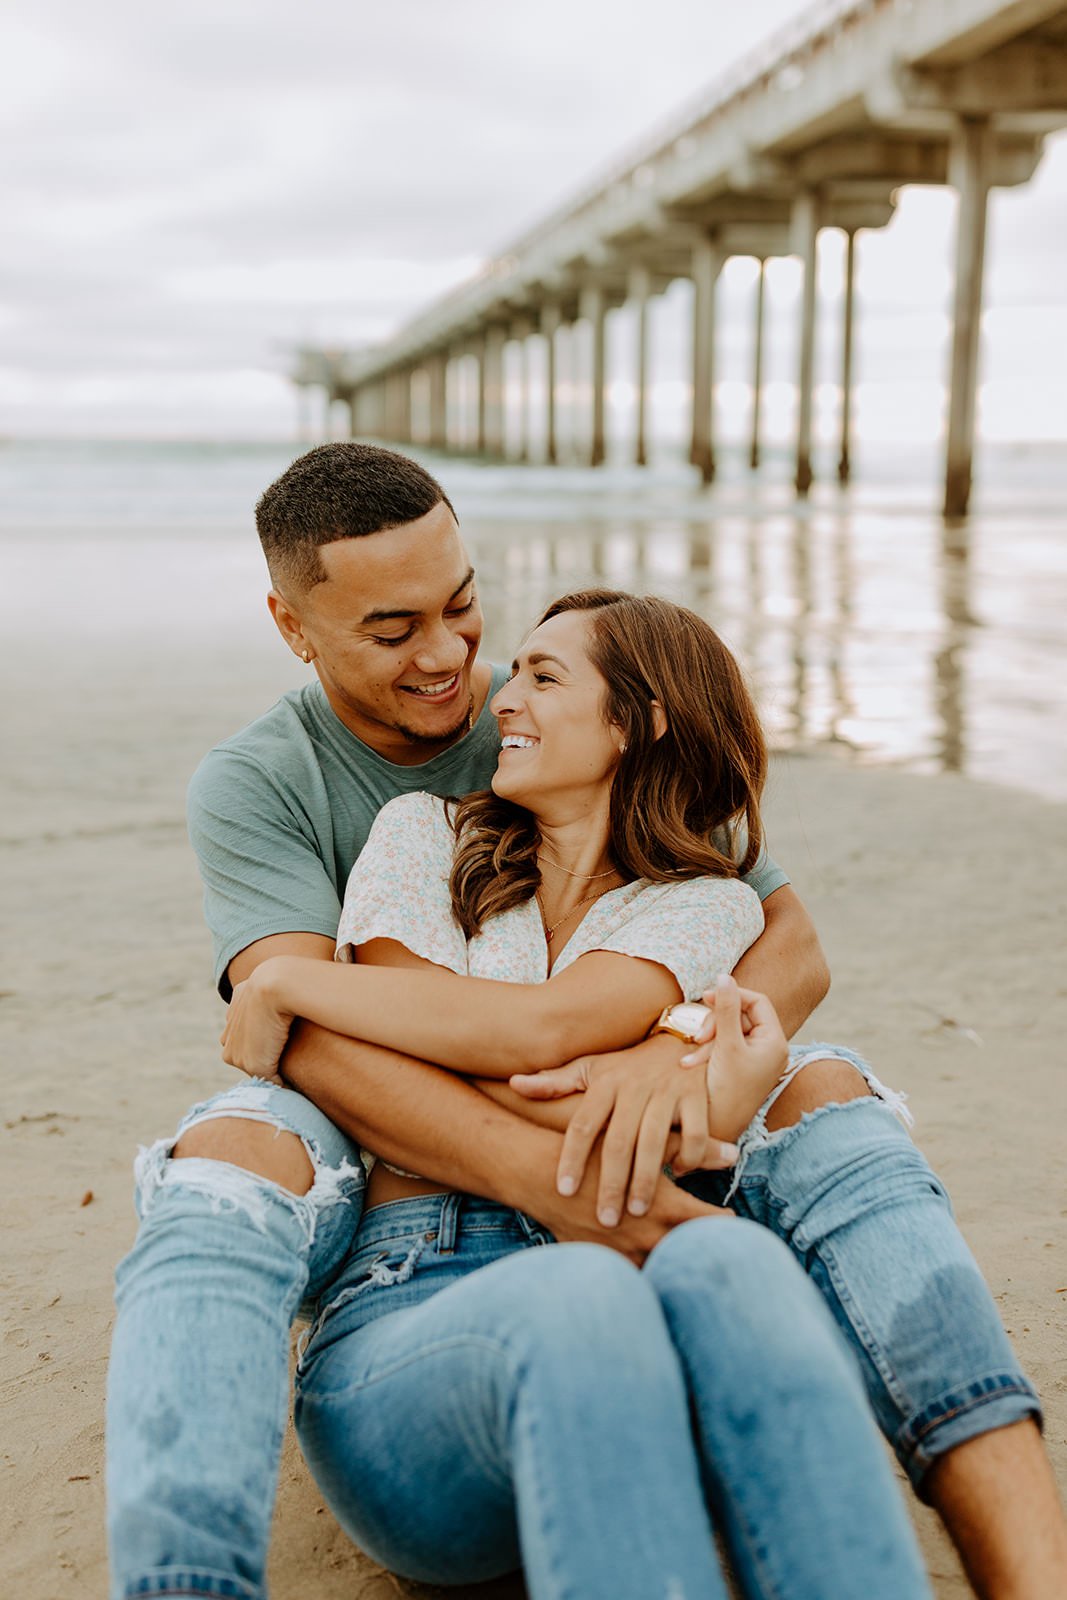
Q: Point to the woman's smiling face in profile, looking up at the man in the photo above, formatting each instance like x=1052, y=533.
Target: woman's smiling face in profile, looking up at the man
x=556, y=743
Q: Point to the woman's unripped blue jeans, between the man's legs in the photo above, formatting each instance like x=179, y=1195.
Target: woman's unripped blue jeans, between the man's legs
x=471, y=1404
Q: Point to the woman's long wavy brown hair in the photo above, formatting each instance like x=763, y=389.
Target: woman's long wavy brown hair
x=684, y=806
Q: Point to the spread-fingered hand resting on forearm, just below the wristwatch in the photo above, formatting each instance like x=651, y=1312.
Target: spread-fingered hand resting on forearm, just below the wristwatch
x=636, y=1098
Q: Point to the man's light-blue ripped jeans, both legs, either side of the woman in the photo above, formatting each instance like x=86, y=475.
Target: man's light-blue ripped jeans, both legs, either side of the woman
x=223, y=1260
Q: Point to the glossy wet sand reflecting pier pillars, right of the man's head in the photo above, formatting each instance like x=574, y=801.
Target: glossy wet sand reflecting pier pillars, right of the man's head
x=885, y=633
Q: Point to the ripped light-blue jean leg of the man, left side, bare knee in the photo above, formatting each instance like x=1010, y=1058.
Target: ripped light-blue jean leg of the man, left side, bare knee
x=199, y=1380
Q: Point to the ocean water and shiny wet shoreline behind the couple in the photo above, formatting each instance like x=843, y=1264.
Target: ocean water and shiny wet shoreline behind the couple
x=865, y=623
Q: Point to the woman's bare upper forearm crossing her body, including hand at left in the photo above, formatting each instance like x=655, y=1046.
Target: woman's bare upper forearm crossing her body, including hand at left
x=470, y=1025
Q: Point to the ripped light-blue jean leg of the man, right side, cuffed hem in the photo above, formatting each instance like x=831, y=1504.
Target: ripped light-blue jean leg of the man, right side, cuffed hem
x=873, y=1225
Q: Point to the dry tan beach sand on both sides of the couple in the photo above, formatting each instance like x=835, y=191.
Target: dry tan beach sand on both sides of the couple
x=940, y=903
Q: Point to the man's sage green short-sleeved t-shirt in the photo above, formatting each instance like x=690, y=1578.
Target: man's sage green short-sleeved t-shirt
x=281, y=812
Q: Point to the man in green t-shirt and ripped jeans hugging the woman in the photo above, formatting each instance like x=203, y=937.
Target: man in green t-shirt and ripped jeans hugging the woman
x=244, y=1217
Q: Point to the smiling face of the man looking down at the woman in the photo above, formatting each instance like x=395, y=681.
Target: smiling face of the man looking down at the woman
x=394, y=631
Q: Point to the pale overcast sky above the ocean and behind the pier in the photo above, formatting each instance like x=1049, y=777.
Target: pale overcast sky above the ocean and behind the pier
x=193, y=190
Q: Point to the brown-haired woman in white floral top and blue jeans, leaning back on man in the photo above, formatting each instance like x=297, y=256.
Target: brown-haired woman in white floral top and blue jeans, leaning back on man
x=468, y=1401
